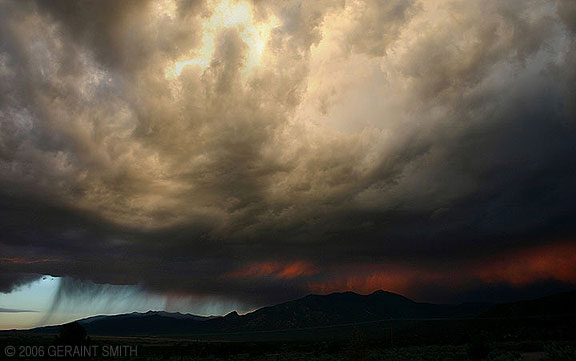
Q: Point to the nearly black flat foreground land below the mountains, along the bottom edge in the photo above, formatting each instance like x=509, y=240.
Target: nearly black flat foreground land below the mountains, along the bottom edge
x=356, y=347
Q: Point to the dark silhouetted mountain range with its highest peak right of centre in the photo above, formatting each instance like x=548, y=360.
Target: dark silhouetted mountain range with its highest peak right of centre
x=309, y=311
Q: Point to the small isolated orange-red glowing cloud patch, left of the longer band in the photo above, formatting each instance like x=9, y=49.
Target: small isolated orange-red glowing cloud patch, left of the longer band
x=275, y=269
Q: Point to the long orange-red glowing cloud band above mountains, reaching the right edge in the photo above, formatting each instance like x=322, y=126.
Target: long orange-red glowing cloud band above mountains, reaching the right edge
x=518, y=268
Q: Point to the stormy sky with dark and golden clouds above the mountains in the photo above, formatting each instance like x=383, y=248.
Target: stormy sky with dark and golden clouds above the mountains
x=206, y=156
